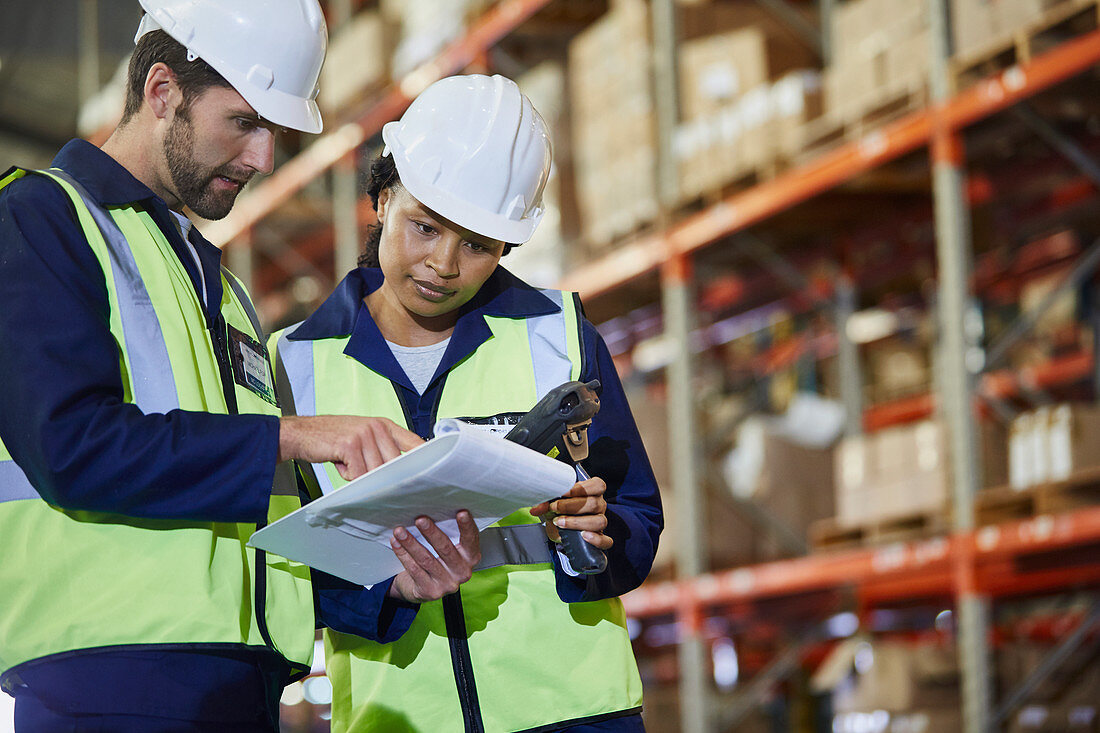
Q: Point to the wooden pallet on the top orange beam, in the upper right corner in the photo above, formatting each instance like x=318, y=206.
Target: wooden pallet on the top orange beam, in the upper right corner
x=1063, y=20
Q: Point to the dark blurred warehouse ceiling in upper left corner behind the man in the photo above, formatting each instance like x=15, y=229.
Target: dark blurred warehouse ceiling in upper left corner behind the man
x=40, y=50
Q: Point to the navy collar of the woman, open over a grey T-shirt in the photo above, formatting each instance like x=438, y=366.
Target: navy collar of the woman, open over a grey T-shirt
x=346, y=314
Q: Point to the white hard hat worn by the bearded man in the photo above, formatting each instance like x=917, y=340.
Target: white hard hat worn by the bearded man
x=270, y=51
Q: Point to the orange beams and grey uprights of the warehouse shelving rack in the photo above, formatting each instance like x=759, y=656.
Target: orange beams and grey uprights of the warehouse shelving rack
x=962, y=565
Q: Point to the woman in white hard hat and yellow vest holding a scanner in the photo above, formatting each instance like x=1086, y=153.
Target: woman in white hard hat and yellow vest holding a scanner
x=430, y=326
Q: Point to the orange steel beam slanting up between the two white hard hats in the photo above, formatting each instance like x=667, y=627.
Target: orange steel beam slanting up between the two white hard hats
x=323, y=155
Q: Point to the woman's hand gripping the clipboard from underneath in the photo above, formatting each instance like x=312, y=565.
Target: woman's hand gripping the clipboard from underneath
x=427, y=577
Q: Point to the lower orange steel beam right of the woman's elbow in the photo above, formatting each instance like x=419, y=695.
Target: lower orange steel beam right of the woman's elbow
x=927, y=566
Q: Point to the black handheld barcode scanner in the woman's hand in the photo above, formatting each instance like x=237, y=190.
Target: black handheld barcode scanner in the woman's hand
x=558, y=426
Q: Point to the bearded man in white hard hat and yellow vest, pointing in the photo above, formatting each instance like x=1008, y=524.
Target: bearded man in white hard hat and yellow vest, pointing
x=140, y=430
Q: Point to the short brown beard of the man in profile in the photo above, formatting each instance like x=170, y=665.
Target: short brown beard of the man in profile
x=192, y=180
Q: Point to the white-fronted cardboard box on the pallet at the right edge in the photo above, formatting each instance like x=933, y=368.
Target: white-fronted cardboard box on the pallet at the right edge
x=1052, y=444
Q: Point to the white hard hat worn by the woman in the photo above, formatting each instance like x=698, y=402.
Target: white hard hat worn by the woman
x=475, y=150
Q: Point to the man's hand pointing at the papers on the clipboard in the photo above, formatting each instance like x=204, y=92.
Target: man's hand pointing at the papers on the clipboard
x=356, y=445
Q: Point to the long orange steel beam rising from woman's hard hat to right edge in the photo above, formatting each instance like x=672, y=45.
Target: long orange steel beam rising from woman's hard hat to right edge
x=756, y=204
